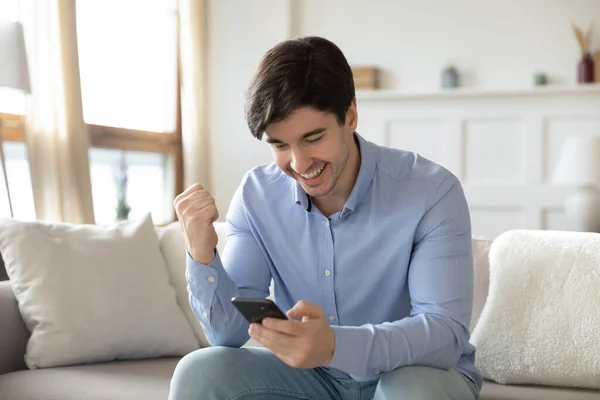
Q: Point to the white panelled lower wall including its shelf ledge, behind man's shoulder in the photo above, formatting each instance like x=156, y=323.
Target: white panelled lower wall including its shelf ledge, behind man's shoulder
x=502, y=147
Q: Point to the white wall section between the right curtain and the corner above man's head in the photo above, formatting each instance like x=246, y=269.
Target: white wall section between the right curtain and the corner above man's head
x=240, y=32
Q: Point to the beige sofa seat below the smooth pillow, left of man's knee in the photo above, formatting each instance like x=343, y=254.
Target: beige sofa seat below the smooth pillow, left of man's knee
x=121, y=380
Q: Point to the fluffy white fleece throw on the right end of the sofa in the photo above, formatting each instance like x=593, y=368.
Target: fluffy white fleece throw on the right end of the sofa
x=541, y=321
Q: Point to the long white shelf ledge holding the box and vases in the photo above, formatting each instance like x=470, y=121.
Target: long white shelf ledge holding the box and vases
x=467, y=93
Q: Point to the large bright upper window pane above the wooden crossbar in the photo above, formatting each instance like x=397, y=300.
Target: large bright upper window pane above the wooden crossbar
x=128, y=63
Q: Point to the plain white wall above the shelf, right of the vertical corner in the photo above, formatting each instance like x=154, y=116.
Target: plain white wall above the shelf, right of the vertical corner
x=497, y=44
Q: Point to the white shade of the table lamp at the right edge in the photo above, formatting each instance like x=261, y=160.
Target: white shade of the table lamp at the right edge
x=579, y=162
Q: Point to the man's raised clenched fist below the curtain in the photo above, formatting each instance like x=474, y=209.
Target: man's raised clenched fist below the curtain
x=196, y=211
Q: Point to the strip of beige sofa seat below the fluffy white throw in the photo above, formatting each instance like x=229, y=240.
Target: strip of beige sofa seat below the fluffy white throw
x=494, y=391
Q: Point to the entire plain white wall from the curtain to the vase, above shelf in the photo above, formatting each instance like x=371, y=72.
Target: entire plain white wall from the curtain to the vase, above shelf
x=496, y=44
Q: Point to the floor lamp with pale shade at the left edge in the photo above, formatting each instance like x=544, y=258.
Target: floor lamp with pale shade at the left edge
x=14, y=74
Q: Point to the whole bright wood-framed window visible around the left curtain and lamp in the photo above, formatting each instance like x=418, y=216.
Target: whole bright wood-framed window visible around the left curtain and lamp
x=128, y=63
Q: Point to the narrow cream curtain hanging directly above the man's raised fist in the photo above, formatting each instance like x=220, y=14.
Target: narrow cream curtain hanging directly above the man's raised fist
x=193, y=53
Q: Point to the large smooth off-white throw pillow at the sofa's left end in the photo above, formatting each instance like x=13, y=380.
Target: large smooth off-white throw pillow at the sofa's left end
x=92, y=293
